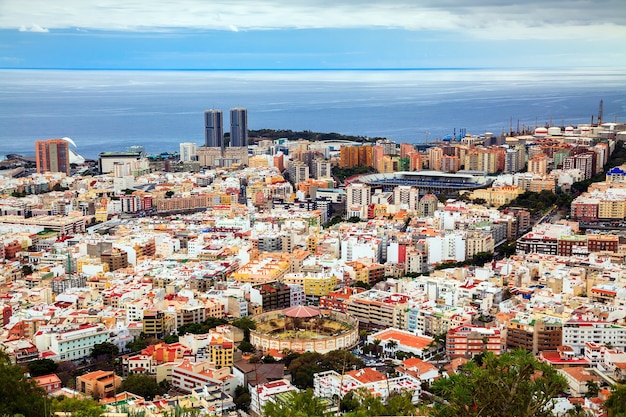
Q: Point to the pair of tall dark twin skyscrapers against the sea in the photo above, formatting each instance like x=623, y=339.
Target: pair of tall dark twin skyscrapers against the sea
x=214, y=128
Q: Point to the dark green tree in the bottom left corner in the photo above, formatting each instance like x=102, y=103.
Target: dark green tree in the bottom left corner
x=18, y=394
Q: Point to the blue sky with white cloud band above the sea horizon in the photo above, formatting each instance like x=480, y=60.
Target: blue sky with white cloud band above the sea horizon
x=303, y=34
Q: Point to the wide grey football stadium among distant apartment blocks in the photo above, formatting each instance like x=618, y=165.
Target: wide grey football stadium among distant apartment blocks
x=426, y=181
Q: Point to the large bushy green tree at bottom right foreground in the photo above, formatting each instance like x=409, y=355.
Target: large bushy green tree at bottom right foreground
x=511, y=385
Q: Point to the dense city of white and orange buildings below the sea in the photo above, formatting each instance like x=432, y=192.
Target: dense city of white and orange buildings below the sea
x=278, y=273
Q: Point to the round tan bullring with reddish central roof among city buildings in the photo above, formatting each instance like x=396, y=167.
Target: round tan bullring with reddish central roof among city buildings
x=304, y=329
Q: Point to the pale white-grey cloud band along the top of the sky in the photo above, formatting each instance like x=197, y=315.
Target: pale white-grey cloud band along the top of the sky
x=542, y=19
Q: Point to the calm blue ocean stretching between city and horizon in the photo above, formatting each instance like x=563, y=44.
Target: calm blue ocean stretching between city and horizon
x=111, y=110
